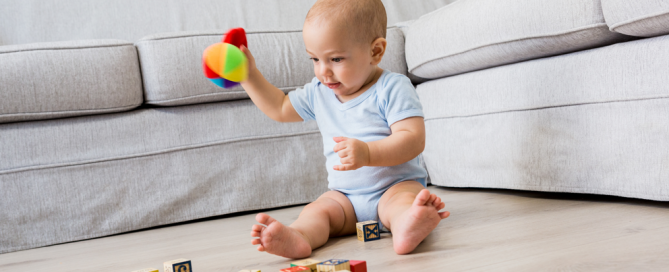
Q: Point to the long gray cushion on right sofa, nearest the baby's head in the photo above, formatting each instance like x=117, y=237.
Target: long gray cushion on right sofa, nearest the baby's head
x=470, y=35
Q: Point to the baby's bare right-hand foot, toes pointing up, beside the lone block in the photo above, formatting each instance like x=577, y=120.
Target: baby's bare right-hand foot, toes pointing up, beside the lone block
x=412, y=226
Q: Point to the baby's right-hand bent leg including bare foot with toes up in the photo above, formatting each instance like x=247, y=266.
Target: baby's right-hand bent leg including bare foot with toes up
x=410, y=212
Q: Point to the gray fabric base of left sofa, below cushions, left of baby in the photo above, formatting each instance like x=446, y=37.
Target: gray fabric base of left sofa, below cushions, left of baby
x=71, y=179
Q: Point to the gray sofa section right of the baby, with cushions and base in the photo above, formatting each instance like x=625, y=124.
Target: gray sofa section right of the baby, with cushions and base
x=546, y=95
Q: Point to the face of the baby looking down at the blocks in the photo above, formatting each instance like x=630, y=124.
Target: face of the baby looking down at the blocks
x=340, y=63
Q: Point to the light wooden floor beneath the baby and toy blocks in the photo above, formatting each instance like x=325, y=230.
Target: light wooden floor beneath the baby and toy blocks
x=489, y=230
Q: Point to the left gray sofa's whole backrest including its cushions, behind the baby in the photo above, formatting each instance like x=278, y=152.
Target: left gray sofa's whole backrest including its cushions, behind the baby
x=55, y=63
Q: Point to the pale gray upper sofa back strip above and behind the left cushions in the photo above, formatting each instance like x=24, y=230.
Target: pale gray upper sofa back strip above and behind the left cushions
x=29, y=21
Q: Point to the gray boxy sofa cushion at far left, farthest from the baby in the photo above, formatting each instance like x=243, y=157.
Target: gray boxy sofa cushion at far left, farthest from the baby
x=59, y=79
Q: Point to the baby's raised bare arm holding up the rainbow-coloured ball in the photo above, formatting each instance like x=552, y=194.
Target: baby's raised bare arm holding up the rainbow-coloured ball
x=268, y=98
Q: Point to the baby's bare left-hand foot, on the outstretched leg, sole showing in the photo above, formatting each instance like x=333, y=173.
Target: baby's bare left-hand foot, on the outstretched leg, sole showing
x=278, y=239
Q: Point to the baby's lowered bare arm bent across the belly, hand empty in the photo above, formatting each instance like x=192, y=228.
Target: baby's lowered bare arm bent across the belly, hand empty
x=406, y=142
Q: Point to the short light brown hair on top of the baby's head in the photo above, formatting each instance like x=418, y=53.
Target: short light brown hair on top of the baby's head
x=365, y=20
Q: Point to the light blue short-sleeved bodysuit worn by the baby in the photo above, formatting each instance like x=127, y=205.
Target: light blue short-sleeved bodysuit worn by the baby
x=367, y=118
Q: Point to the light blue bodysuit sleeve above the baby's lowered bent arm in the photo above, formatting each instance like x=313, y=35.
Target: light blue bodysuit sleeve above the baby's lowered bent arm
x=399, y=99
